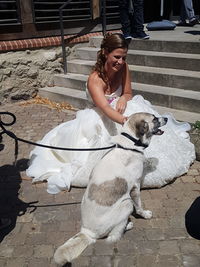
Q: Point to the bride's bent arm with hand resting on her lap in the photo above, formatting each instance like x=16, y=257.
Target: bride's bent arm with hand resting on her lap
x=126, y=90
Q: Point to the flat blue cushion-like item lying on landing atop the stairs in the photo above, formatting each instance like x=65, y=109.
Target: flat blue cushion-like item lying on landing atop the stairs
x=161, y=25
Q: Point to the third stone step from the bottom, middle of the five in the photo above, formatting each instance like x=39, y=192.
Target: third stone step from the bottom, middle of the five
x=182, y=79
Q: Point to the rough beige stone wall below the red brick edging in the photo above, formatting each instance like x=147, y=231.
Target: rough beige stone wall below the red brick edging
x=22, y=73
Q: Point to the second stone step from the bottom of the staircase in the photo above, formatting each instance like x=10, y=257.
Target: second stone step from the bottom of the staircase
x=159, y=95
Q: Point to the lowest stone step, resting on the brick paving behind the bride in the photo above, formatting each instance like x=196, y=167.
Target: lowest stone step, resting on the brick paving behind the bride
x=78, y=99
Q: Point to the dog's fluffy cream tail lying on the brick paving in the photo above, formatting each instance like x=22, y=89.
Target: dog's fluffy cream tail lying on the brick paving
x=73, y=248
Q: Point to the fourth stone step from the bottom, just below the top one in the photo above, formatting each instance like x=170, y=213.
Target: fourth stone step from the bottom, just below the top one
x=182, y=61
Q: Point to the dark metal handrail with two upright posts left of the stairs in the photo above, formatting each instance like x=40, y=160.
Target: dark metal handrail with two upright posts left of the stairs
x=62, y=29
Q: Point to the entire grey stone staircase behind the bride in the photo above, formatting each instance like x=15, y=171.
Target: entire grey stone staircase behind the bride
x=167, y=73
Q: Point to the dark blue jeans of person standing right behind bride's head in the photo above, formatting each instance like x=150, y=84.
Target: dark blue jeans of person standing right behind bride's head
x=131, y=22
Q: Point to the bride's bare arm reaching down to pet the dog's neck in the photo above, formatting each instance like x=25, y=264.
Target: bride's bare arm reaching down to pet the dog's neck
x=96, y=88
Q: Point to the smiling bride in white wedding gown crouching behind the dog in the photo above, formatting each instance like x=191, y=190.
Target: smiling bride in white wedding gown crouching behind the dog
x=110, y=95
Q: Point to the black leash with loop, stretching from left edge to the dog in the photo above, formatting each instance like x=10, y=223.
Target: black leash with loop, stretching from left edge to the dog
x=17, y=139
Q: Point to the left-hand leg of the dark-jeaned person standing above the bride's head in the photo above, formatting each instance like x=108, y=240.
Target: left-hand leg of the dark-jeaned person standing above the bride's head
x=125, y=17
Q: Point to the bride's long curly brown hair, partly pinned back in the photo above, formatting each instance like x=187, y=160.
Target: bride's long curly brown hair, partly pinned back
x=110, y=42
